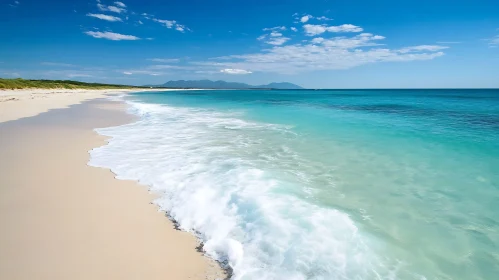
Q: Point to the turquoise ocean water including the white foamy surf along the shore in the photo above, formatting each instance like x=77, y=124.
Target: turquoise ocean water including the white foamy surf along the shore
x=353, y=184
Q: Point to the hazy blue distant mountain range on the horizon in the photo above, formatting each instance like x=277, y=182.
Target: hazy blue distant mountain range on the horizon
x=224, y=85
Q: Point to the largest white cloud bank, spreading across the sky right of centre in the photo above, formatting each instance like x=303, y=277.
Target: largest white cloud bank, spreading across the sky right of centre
x=338, y=52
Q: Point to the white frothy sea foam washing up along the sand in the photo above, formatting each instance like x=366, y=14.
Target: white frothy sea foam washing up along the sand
x=214, y=183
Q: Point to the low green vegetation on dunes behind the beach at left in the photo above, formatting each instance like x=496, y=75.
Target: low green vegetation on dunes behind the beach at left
x=53, y=84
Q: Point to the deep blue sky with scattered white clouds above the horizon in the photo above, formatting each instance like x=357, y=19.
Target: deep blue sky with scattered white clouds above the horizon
x=312, y=43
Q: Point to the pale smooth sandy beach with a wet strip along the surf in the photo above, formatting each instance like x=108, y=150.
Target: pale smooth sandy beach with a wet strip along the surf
x=62, y=219
